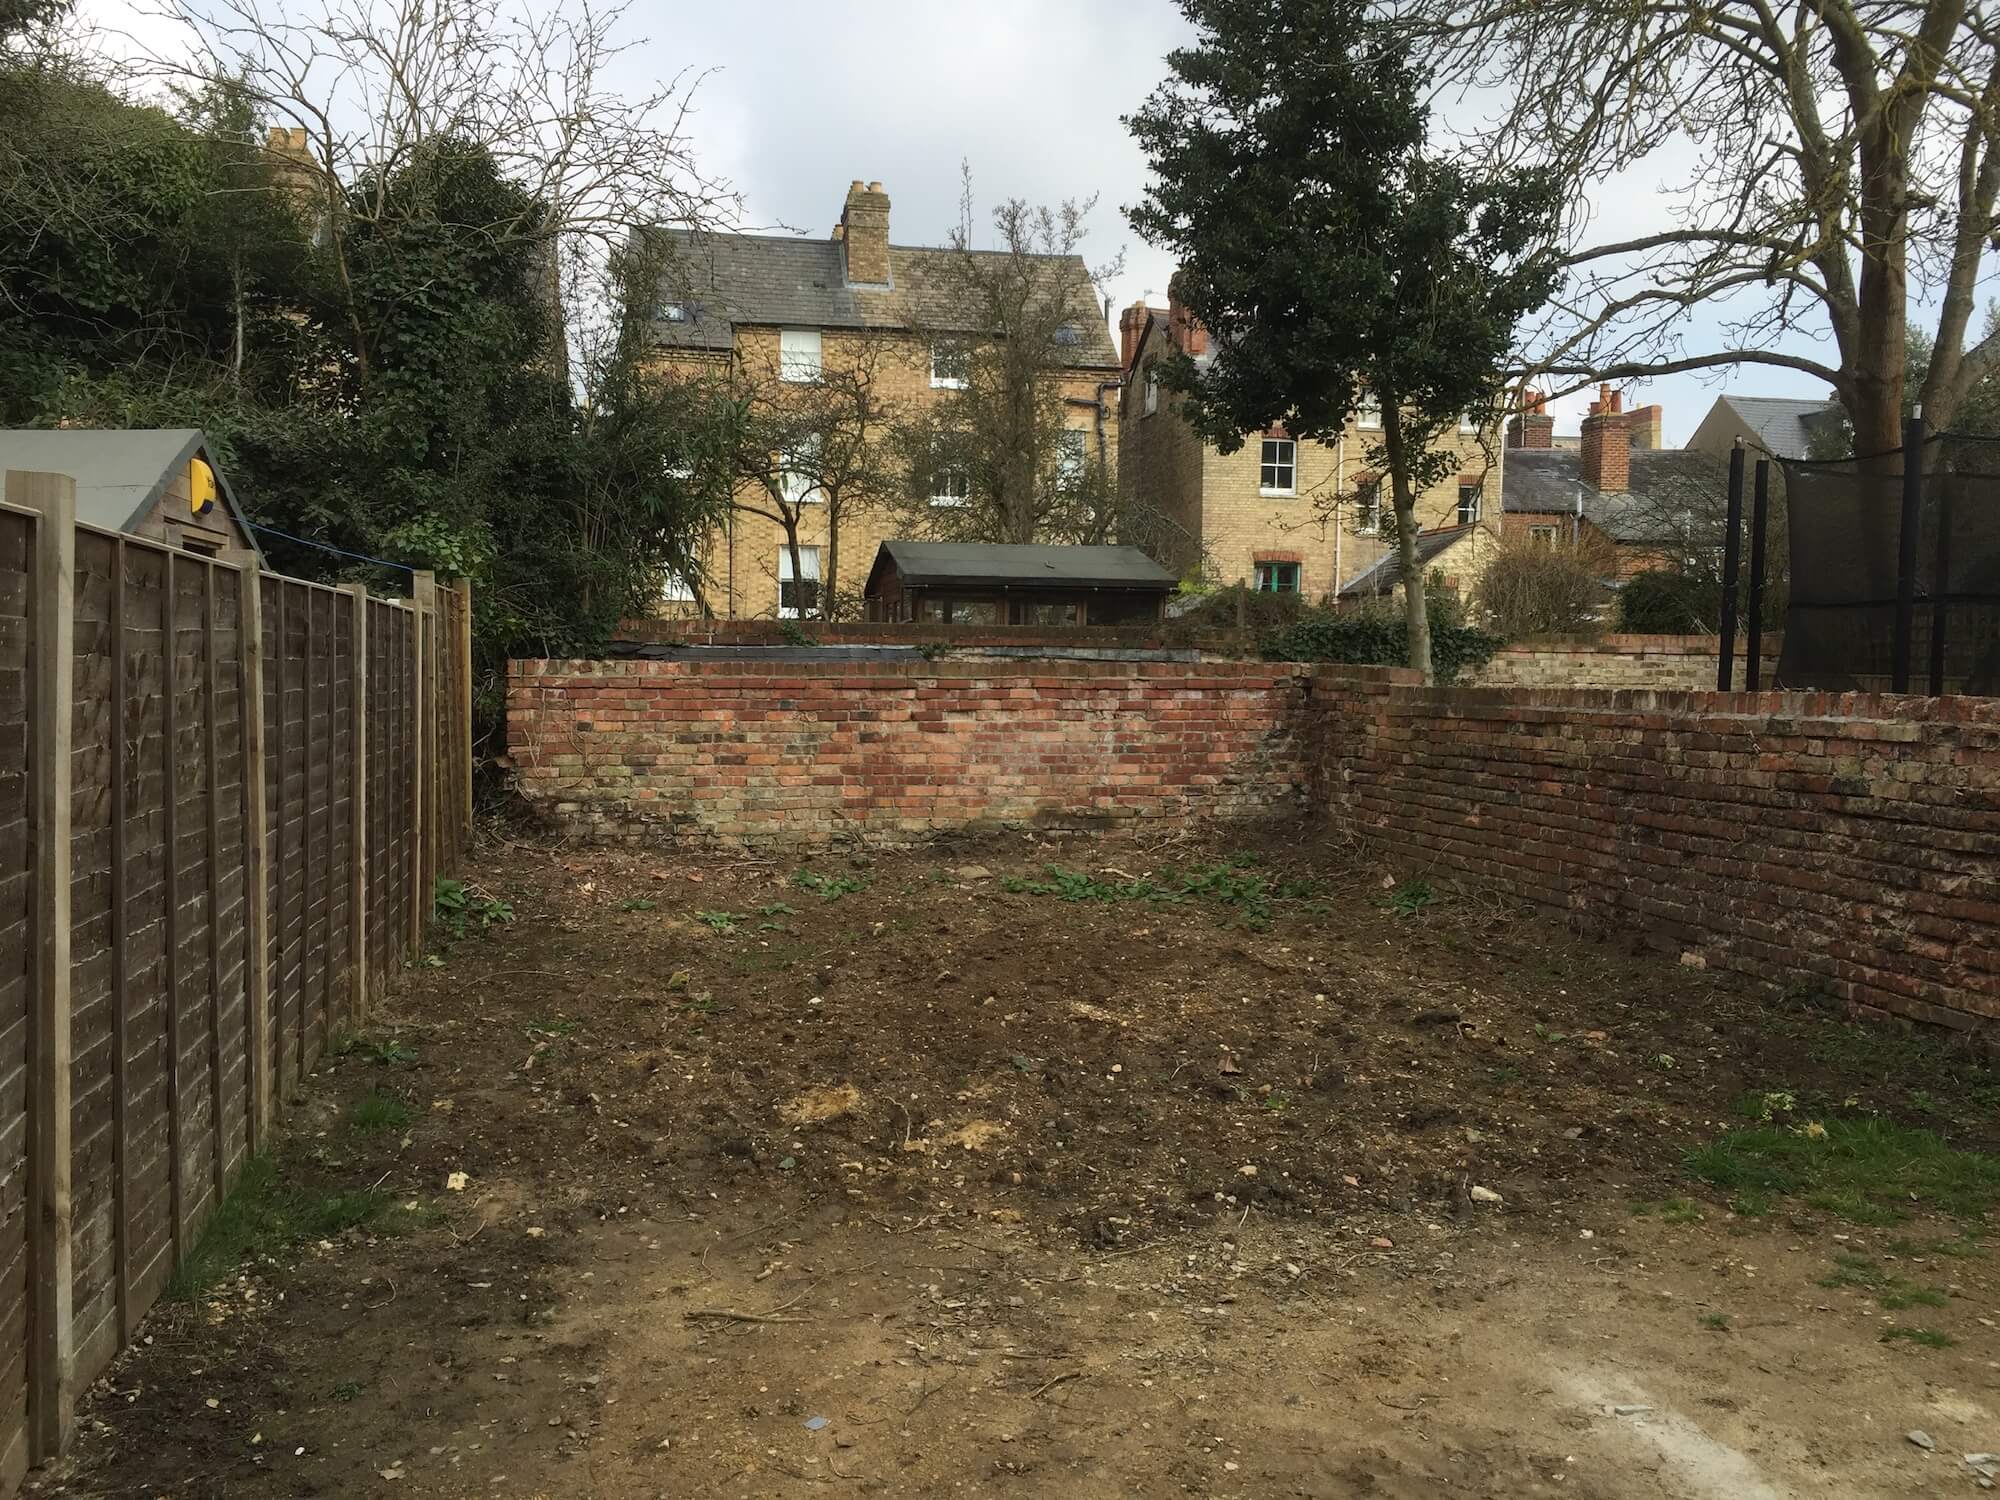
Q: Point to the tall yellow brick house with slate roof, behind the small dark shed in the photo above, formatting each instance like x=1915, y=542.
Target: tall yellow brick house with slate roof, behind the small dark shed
x=801, y=309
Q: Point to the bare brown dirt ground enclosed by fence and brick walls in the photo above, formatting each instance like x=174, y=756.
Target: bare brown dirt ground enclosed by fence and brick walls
x=933, y=1175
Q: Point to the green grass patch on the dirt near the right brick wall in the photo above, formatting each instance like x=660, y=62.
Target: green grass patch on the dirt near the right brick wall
x=1863, y=1171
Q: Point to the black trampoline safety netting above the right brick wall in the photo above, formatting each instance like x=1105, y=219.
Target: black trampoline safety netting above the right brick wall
x=1845, y=525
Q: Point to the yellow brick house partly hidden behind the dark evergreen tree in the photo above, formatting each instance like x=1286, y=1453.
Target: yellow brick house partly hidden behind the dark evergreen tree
x=1281, y=515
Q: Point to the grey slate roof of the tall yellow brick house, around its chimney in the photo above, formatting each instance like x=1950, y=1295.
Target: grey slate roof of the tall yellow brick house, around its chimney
x=775, y=281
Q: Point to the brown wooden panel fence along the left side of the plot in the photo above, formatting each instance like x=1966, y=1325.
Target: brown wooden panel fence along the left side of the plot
x=225, y=799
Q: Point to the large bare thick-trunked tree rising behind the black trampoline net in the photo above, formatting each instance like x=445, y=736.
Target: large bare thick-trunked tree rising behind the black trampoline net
x=1833, y=175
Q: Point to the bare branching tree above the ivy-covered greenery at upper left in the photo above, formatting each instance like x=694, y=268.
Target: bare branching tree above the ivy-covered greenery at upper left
x=371, y=87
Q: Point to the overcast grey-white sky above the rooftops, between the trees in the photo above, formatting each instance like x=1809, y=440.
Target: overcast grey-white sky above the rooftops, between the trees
x=803, y=97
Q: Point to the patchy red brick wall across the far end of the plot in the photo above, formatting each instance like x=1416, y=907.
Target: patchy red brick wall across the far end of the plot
x=751, y=753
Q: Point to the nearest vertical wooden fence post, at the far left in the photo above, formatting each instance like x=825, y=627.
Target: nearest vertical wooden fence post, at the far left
x=51, y=1349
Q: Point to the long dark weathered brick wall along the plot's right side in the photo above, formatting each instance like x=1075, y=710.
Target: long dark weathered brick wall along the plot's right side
x=1837, y=839
